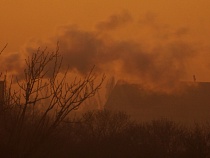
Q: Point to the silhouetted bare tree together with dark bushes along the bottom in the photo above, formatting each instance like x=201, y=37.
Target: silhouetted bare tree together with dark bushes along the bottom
x=31, y=129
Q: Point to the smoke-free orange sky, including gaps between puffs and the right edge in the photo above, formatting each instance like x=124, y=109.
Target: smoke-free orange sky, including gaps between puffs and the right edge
x=23, y=20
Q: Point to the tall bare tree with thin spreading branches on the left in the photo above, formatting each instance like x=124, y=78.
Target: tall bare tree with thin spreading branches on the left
x=47, y=90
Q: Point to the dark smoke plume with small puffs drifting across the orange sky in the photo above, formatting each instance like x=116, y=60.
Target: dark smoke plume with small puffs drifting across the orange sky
x=162, y=64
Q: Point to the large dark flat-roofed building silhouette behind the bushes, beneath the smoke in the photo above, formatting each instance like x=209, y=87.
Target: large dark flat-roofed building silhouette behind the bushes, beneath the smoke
x=192, y=104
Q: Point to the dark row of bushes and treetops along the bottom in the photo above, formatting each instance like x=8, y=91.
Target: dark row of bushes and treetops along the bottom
x=107, y=134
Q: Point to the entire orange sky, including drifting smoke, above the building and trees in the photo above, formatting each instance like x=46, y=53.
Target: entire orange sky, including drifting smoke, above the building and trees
x=148, y=41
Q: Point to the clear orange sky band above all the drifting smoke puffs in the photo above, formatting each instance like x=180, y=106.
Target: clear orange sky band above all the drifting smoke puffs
x=23, y=19
